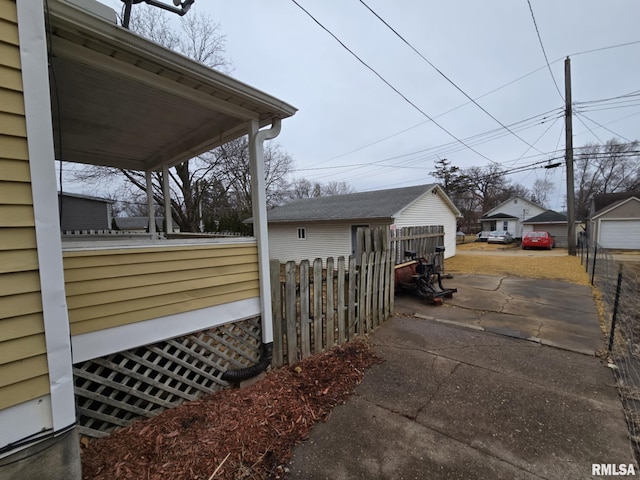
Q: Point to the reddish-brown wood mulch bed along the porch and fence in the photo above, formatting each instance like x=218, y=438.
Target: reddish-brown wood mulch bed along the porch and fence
x=233, y=434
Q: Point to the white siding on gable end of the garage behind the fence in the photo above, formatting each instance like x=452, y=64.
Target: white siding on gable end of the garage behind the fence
x=431, y=209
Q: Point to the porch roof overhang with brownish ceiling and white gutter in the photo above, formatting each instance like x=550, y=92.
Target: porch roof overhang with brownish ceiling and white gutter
x=122, y=101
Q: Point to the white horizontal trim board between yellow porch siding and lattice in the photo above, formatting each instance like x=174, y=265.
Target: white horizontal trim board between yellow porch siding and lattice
x=117, y=339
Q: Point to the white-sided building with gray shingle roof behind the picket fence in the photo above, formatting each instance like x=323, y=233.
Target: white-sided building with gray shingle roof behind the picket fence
x=326, y=226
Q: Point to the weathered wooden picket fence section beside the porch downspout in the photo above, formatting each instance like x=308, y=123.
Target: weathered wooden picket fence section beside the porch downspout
x=315, y=309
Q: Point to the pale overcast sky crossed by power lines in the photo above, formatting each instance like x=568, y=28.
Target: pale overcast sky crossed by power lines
x=481, y=46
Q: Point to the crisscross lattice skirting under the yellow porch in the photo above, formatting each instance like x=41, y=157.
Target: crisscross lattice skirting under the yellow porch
x=113, y=391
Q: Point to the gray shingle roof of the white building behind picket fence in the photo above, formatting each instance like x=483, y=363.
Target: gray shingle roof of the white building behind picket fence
x=363, y=205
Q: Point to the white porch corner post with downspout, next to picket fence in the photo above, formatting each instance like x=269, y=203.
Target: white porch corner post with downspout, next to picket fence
x=259, y=212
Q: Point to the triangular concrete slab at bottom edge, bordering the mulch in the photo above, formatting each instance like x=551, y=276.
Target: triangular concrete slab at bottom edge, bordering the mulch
x=390, y=447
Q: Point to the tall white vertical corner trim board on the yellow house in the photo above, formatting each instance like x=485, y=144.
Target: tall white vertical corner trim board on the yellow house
x=37, y=103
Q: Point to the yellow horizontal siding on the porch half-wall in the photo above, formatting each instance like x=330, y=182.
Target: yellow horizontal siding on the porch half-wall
x=109, y=288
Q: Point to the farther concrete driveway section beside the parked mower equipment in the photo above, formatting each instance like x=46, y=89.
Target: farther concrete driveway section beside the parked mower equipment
x=553, y=313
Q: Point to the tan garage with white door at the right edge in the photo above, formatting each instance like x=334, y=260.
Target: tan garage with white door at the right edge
x=618, y=225
